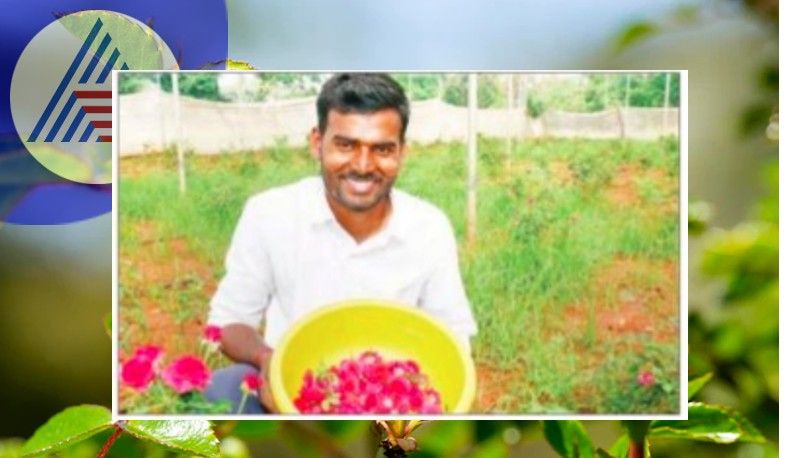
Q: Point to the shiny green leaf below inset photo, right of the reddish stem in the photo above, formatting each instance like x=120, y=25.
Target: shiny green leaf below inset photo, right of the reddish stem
x=193, y=436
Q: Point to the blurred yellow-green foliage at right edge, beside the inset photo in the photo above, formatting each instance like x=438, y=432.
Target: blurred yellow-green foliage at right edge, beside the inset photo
x=742, y=338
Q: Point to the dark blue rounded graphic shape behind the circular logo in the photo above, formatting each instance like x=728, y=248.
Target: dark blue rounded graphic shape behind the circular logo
x=196, y=33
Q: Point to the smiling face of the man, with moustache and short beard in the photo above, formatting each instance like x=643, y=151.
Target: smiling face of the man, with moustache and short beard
x=360, y=155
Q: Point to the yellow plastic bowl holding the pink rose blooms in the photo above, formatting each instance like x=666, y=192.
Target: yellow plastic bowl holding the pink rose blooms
x=396, y=331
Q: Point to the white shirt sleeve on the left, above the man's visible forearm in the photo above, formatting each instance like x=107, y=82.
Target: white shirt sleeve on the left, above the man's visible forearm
x=244, y=292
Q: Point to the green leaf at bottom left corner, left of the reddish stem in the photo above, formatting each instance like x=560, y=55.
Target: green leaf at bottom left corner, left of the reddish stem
x=67, y=427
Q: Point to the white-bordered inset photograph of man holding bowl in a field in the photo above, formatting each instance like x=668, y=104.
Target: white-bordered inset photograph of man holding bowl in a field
x=412, y=244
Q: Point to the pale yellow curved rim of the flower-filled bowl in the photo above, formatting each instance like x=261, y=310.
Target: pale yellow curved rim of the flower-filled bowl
x=285, y=404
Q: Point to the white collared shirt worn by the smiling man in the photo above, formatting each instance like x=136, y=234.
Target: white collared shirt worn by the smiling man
x=289, y=256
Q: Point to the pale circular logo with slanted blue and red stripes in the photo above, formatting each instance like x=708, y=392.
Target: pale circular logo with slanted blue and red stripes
x=61, y=88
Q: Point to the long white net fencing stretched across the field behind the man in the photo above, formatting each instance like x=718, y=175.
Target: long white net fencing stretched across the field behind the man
x=148, y=123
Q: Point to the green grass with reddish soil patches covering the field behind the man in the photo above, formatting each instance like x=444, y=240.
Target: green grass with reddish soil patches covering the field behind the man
x=573, y=278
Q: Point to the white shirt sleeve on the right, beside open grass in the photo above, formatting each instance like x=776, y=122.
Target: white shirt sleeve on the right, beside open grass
x=443, y=294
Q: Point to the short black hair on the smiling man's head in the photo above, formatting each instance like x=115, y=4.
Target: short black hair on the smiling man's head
x=361, y=93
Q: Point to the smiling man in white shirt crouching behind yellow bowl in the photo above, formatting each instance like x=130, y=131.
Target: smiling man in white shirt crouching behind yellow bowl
x=347, y=234
